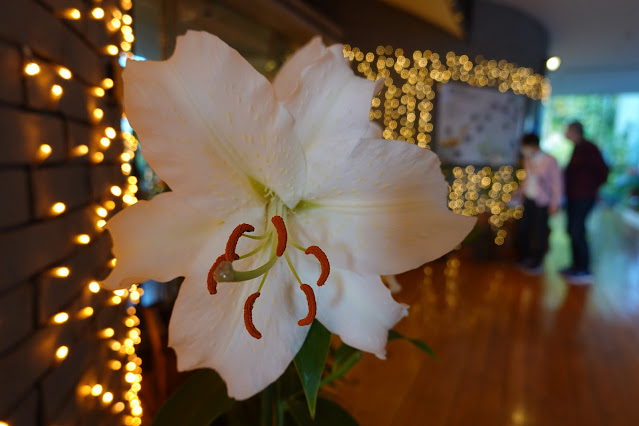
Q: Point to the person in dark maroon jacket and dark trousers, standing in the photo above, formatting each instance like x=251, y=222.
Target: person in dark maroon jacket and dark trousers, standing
x=583, y=176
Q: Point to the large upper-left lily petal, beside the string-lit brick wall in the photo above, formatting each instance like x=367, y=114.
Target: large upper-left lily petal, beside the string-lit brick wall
x=185, y=111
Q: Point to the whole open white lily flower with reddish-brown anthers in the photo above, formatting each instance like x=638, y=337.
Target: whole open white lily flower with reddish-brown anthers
x=237, y=149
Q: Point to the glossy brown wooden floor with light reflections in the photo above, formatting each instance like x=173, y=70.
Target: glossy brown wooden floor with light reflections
x=513, y=349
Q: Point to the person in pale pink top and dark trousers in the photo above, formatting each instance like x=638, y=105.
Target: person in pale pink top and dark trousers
x=542, y=191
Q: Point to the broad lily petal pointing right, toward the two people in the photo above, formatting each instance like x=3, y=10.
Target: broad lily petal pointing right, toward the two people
x=382, y=210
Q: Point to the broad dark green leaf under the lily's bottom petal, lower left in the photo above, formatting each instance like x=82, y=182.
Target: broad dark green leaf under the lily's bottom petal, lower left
x=199, y=401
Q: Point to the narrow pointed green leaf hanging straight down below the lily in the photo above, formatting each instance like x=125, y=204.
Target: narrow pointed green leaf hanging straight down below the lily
x=310, y=361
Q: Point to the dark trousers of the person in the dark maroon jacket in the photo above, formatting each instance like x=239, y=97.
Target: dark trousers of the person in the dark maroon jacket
x=578, y=211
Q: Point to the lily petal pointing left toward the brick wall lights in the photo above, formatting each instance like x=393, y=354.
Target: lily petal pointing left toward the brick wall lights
x=159, y=239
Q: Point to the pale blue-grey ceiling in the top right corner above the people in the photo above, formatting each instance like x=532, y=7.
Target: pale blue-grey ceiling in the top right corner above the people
x=597, y=41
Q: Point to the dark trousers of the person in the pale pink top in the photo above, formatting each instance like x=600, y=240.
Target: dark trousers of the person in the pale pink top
x=532, y=238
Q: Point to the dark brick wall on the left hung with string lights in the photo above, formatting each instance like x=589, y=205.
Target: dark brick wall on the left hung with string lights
x=35, y=386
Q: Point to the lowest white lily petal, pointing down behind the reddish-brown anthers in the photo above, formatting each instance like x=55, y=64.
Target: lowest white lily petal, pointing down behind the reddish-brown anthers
x=208, y=331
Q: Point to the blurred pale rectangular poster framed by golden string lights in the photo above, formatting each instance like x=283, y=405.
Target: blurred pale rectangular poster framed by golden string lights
x=479, y=126
